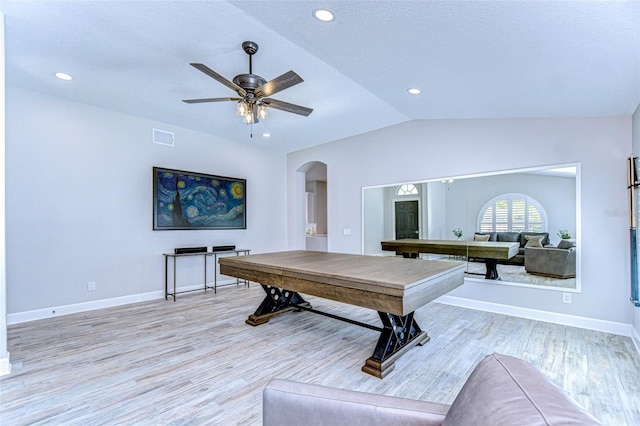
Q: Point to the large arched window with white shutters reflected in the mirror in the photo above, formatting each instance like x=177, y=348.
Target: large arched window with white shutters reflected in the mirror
x=512, y=212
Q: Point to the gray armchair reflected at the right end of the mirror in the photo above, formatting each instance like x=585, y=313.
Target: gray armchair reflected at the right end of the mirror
x=555, y=262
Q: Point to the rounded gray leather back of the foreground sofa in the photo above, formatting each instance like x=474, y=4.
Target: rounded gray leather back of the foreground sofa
x=504, y=390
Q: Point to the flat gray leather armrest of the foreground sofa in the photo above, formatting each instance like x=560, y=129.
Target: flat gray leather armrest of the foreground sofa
x=291, y=403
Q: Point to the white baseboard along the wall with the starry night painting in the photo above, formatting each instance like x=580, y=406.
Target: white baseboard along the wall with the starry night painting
x=55, y=311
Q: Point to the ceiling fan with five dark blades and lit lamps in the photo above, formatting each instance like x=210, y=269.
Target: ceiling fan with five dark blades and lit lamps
x=253, y=90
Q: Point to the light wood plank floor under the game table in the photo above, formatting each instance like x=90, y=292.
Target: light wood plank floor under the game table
x=196, y=362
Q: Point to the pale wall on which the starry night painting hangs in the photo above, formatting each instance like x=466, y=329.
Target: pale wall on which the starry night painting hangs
x=79, y=201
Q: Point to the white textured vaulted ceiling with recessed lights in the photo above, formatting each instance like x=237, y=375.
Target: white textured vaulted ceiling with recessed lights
x=471, y=59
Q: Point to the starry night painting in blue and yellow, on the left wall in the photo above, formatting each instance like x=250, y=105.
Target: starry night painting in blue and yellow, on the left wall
x=186, y=200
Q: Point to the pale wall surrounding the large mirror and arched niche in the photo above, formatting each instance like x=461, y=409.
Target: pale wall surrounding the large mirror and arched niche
x=443, y=148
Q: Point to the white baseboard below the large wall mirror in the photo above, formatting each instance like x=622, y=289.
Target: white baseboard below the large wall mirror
x=563, y=319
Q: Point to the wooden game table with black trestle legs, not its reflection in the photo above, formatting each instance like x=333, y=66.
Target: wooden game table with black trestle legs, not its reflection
x=395, y=287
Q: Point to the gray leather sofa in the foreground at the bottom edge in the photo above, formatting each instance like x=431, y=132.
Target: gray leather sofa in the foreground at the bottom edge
x=502, y=390
